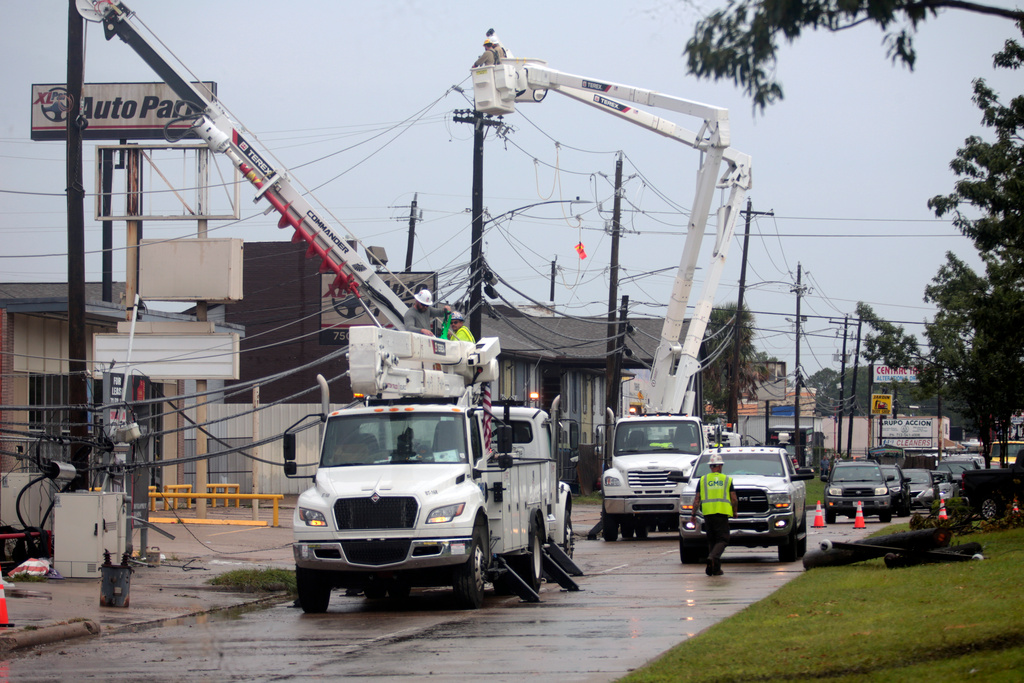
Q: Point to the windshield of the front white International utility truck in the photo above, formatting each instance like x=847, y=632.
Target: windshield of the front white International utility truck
x=394, y=438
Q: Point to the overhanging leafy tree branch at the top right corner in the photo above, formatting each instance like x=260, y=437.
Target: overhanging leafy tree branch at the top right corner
x=741, y=41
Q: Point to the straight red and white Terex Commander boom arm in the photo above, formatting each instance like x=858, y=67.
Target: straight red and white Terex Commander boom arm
x=354, y=276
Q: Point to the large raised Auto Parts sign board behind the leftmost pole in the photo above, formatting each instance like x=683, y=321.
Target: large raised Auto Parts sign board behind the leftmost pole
x=112, y=111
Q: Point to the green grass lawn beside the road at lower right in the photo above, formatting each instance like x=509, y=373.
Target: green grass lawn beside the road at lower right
x=864, y=622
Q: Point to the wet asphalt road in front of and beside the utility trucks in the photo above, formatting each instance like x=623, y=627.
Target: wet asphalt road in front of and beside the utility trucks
x=637, y=602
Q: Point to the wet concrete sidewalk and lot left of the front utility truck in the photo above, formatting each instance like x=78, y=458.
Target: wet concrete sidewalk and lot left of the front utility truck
x=177, y=587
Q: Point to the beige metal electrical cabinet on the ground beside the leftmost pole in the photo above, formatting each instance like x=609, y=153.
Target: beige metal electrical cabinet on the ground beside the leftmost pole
x=86, y=525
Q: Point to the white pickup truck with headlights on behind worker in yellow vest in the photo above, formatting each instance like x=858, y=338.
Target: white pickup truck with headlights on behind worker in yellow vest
x=773, y=503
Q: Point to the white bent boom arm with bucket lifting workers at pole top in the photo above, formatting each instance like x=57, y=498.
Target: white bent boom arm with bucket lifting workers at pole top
x=496, y=91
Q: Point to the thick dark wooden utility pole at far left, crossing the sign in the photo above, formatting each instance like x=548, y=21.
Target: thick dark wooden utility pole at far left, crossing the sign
x=77, y=390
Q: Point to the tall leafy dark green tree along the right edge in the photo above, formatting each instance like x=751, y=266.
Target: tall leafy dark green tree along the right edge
x=975, y=355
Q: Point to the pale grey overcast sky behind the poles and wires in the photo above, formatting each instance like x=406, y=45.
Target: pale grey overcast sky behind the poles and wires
x=358, y=101
